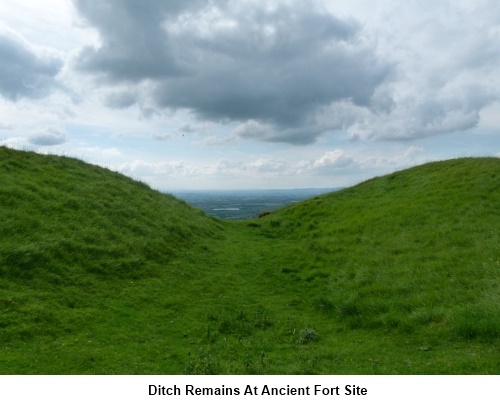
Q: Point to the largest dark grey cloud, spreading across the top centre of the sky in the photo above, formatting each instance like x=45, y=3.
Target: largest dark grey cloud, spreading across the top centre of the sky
x=234, y=62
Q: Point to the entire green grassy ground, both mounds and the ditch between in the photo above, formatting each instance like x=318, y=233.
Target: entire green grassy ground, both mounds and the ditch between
x=99, y=274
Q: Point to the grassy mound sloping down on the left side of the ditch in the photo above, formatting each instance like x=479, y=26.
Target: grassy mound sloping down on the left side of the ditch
x=63, y=219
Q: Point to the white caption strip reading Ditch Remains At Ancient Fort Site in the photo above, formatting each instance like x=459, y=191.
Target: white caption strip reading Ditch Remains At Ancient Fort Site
x=123, y=390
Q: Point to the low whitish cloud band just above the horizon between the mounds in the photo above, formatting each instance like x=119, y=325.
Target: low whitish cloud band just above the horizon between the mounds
x=327, y=169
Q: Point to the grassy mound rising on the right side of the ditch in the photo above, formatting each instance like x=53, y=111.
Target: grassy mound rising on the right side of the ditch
x=413, y=250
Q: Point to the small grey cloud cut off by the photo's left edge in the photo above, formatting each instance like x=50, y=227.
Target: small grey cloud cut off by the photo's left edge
x=26, y=72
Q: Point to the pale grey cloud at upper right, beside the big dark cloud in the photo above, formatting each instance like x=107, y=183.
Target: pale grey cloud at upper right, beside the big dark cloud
x=447, y=58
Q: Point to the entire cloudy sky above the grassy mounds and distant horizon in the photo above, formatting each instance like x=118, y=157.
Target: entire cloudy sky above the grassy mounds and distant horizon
x=218, y=94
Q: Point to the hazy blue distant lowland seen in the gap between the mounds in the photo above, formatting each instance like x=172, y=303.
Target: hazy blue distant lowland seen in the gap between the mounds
x=244, y=204
